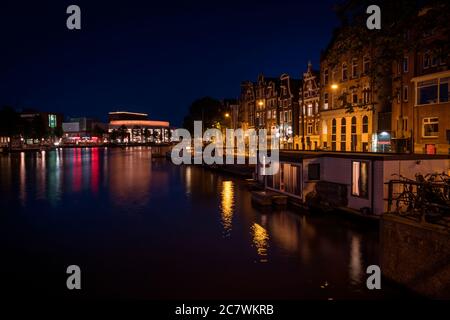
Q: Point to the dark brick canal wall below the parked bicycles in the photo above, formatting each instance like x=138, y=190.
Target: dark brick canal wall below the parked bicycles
x=416, y=255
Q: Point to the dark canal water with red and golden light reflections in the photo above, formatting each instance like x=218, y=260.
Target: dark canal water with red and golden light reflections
x=144, y=228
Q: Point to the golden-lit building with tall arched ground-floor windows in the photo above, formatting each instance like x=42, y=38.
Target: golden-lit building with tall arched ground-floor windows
x=354, y=117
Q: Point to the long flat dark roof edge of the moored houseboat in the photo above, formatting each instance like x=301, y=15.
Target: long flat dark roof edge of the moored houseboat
x=294, y=155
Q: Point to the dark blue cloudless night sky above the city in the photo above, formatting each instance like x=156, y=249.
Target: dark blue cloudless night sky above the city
x=149, y=57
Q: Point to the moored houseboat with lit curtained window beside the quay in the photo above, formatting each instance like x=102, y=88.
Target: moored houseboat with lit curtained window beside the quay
x=355, y=182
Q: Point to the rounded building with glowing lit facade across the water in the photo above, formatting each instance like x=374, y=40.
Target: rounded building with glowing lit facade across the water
x=137, y=127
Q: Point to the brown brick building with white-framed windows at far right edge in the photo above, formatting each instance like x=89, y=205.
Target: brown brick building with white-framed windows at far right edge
x=421, y=108
